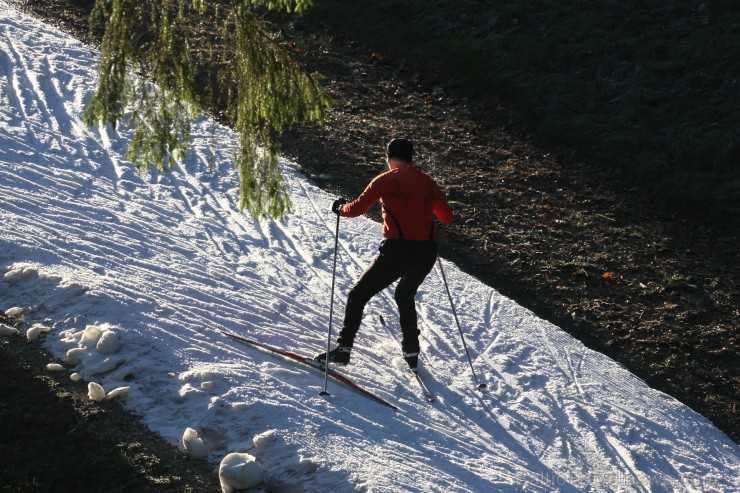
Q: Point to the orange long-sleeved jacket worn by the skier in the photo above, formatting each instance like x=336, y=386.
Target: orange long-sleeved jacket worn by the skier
x=411, y=199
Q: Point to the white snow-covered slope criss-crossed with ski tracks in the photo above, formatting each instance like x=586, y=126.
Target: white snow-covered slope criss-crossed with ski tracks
x=159, y=263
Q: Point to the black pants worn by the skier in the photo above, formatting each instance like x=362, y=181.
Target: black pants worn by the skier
x=407, y=261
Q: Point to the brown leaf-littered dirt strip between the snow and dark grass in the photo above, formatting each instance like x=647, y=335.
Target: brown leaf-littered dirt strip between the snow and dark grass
x=569, y=240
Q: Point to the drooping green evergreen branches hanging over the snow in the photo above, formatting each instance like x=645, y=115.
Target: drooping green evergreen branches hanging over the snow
x=148, y=77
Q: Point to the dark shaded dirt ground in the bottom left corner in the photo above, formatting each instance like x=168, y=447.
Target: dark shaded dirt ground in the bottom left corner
x=54, y=439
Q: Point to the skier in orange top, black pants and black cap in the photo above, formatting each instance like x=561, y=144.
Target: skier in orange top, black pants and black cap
x=410, y=200
